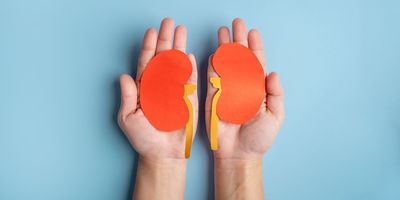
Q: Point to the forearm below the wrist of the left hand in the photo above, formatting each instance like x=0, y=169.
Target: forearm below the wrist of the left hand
x=160, y=179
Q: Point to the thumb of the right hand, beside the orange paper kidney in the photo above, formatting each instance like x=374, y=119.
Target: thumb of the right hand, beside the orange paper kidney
x=275, y=96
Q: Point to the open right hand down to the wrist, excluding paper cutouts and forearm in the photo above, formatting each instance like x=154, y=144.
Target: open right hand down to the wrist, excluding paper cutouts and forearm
x=249, y=141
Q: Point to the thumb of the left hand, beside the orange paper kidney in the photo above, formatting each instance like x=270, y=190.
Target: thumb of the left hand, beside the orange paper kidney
x=128, y=96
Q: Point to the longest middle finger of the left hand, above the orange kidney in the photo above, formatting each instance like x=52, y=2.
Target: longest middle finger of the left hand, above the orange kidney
x=164, y=41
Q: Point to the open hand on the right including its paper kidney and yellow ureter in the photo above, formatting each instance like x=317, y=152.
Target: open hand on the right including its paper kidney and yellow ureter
x=244, y=125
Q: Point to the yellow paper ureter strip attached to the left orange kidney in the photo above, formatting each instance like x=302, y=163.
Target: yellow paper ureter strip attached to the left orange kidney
x=189, y=89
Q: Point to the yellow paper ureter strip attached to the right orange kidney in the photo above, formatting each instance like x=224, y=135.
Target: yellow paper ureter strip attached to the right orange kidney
x=216, y=83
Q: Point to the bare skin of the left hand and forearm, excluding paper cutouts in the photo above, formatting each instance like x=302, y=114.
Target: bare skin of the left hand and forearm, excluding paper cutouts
x=162, y=163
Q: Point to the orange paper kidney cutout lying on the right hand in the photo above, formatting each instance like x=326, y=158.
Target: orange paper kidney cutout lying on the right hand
x=242, y=83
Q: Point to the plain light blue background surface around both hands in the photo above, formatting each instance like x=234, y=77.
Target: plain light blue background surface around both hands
x=59, y=95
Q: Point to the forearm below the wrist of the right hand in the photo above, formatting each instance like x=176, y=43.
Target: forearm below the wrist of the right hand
x=238, y=179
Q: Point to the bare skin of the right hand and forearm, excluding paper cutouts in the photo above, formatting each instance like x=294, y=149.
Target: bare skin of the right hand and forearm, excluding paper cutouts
x=238, y=160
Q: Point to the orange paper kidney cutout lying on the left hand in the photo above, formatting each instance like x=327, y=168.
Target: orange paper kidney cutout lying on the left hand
x=162, y=90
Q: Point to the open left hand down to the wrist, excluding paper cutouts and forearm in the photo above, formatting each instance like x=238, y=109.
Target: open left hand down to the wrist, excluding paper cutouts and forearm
x=148, y=141
